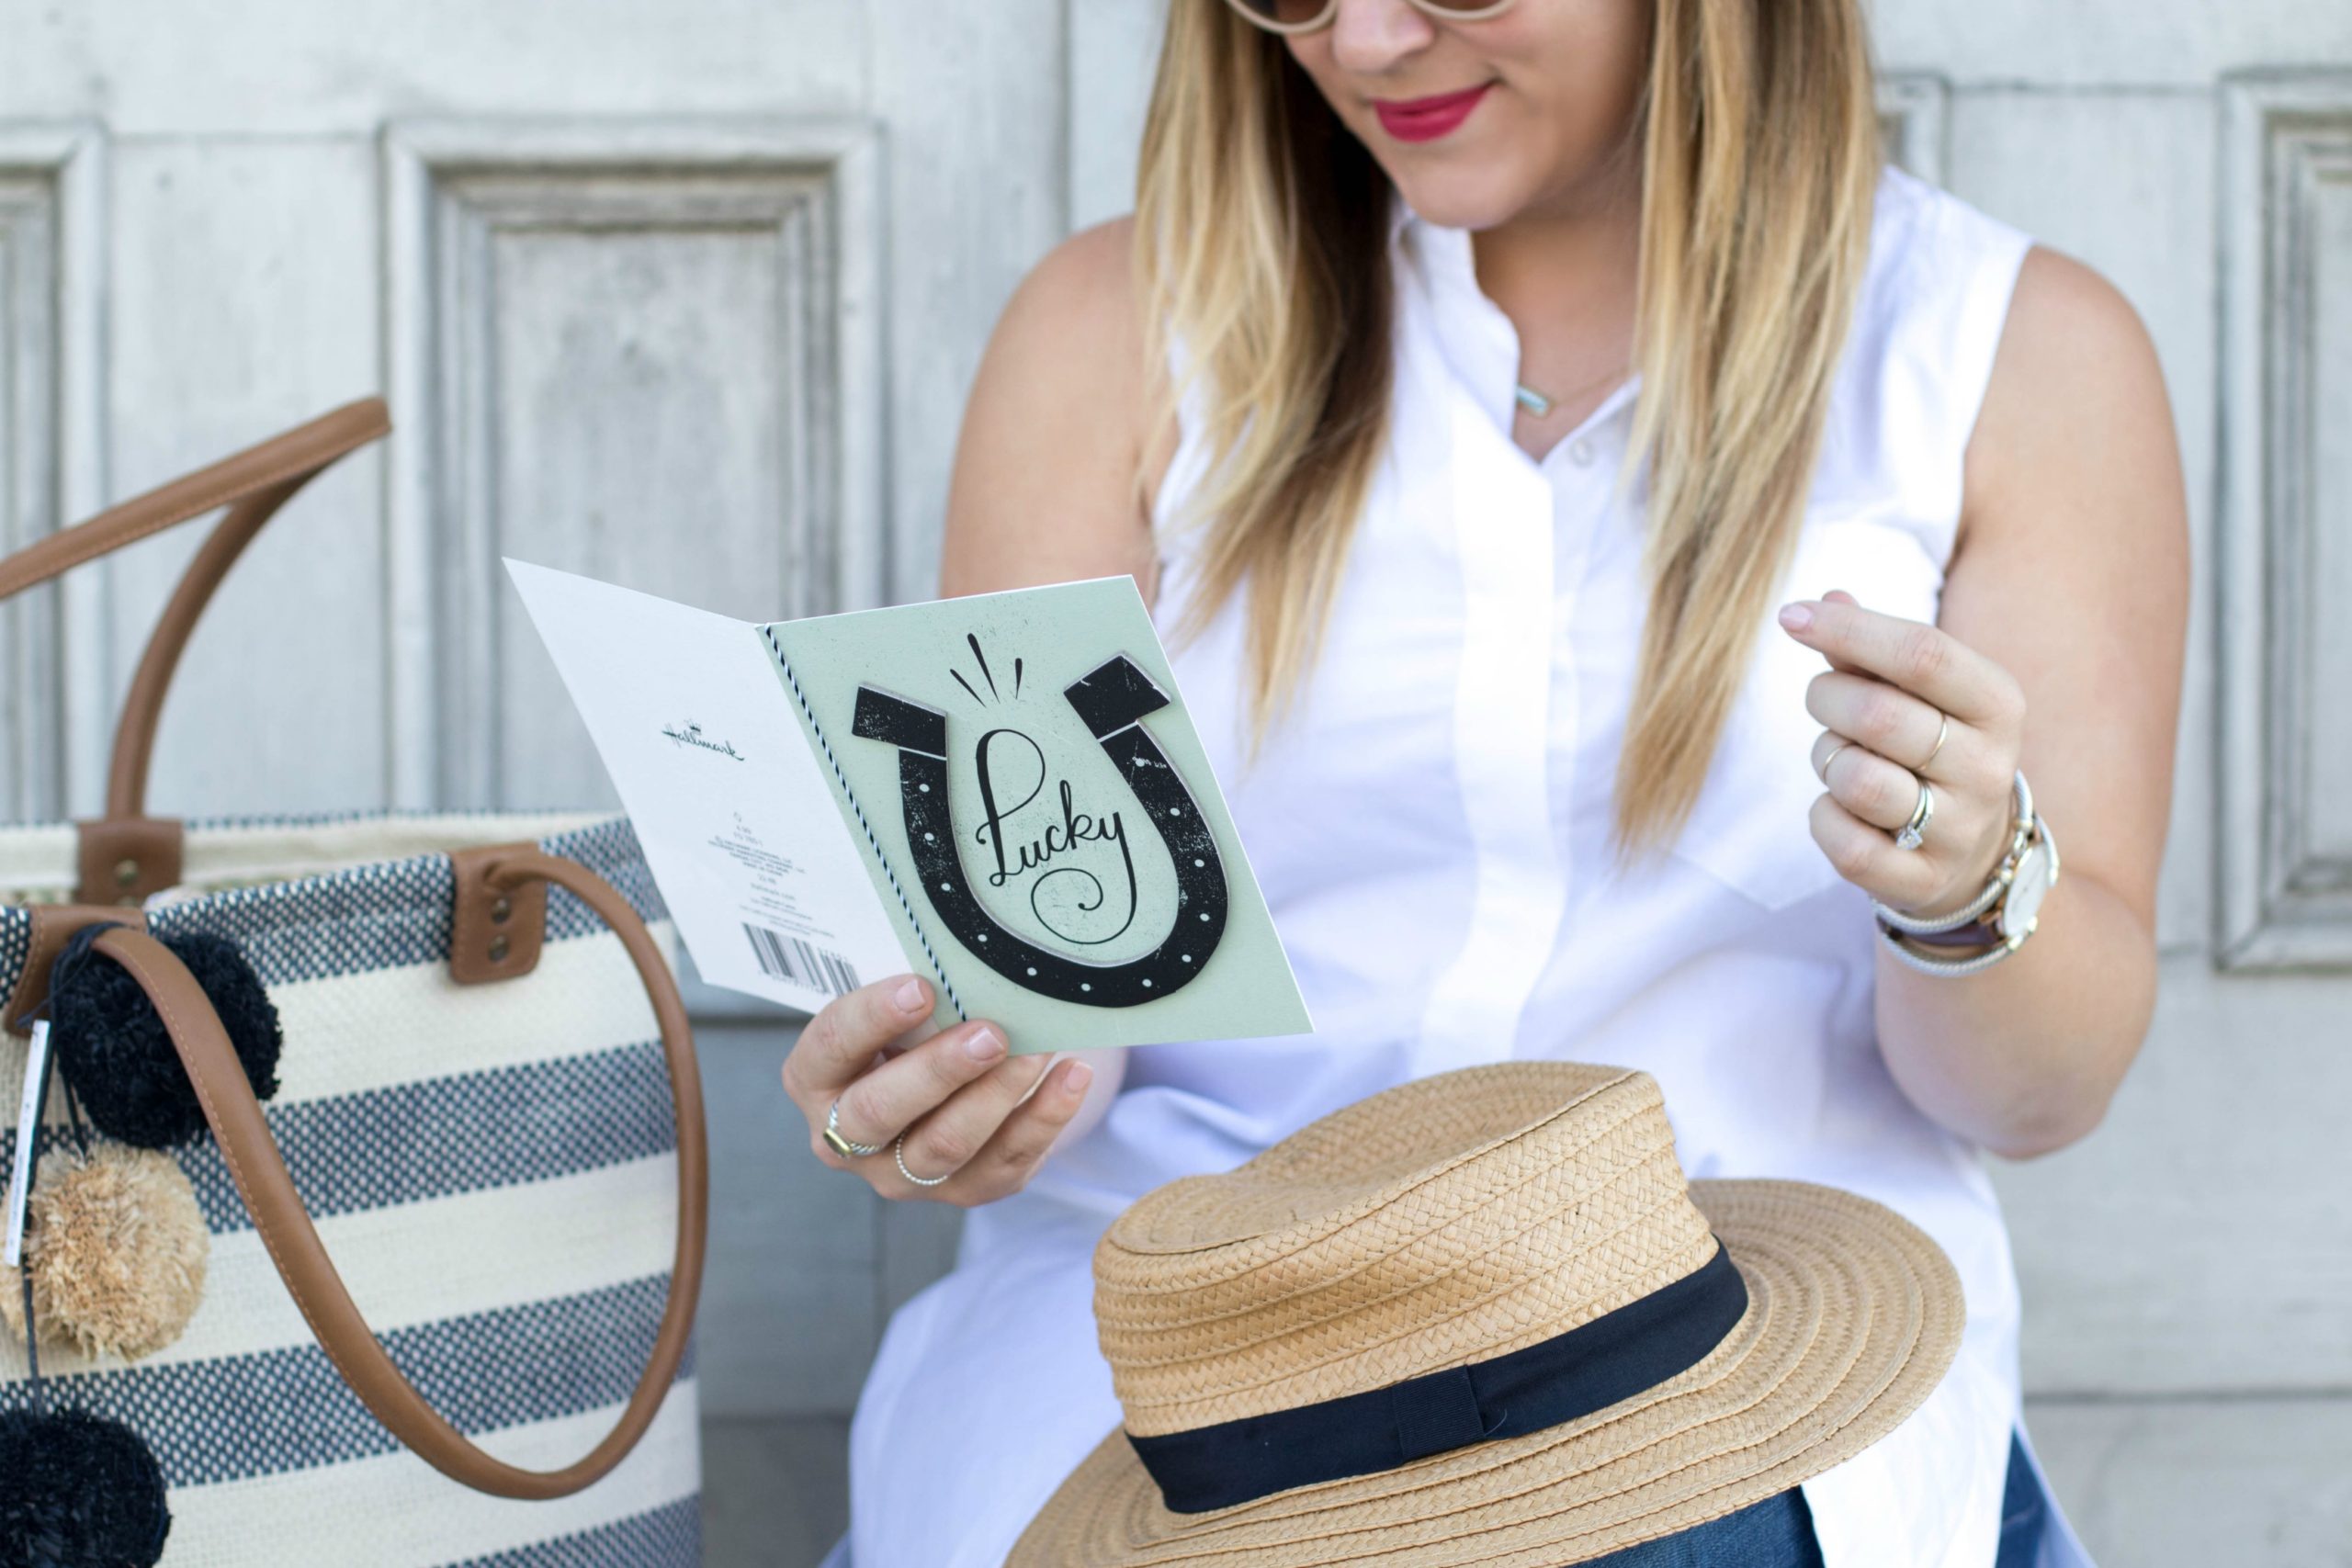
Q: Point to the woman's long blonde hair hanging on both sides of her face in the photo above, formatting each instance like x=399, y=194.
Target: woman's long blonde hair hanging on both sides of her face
x=1262, y=246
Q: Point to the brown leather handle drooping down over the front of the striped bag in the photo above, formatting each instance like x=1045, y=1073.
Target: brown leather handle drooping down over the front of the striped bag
x=302, y=1261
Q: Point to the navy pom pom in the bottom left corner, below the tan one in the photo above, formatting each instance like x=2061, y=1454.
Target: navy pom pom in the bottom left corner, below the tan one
x=79, y=1492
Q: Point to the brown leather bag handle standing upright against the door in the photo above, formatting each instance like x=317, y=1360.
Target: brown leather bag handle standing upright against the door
x=253, y=485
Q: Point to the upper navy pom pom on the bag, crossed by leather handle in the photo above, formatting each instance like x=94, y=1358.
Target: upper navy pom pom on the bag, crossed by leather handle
x=116, y=1054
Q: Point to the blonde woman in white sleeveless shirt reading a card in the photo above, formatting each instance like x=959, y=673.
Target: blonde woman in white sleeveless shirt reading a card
x=1478, y=643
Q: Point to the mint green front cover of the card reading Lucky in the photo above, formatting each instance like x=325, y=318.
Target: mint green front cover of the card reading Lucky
x=1041, y=817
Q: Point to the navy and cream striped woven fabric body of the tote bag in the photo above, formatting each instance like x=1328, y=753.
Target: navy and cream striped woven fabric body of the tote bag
x=469, y=1111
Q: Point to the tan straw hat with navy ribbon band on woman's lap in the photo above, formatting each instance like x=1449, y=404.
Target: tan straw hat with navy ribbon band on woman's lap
x=1483, y=1320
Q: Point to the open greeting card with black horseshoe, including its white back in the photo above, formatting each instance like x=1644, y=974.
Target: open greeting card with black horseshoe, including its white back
x=1001, y=793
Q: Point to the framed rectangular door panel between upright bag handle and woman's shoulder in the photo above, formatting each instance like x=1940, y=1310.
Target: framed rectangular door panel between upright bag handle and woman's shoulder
x=643, y=351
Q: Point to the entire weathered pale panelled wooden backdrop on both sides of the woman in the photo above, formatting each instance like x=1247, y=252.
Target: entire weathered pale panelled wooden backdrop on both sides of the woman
x=690, y=293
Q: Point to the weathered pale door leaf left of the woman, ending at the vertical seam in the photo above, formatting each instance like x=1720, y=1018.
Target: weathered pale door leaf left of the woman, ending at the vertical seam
x=681, y=293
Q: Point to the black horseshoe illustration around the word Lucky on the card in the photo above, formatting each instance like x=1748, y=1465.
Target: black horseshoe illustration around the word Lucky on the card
x=1111, y=702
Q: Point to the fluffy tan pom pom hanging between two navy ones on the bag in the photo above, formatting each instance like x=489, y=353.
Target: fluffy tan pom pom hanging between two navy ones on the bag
x=116, y=1247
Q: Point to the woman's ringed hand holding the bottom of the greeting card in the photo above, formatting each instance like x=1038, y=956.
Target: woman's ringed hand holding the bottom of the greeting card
x=965, y=1106
